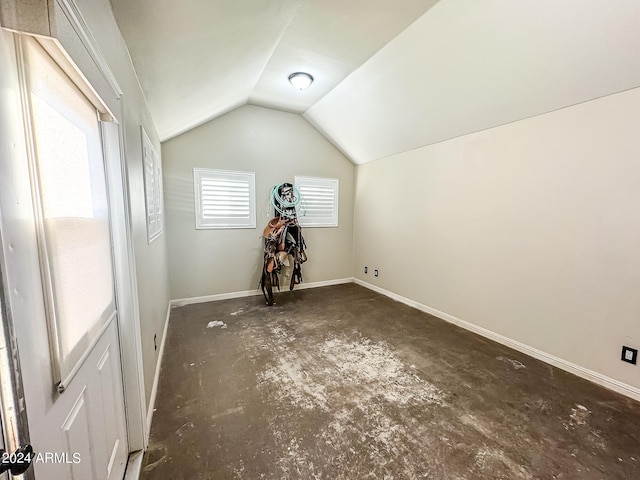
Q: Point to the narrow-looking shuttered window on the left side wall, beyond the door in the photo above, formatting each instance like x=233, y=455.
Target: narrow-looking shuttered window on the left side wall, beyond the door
x=152, y=188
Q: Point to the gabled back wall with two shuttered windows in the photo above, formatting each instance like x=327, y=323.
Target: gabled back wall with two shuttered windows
x=276, y=146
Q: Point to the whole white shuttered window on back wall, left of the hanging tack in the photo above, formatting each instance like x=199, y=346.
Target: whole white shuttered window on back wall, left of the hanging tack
x=224, y=199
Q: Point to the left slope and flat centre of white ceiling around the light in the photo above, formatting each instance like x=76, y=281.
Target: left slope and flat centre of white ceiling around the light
x=198, y=59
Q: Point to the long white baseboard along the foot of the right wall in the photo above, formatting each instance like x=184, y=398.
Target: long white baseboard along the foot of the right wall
x=577, y=370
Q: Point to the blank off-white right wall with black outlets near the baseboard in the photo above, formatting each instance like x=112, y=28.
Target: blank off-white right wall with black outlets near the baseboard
x=530, y=230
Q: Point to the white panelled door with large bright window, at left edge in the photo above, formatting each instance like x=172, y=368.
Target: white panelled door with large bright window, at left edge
x=58, y=252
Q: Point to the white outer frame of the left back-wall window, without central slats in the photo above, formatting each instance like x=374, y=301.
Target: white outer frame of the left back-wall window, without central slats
x=223, y=223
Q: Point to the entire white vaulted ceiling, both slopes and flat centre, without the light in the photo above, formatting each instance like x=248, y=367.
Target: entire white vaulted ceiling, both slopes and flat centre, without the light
x=390, y=75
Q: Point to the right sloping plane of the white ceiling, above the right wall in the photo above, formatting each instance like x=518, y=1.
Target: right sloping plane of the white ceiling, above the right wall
x=469, y=65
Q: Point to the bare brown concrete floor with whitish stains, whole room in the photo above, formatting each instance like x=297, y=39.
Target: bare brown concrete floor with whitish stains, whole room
x=343, y=383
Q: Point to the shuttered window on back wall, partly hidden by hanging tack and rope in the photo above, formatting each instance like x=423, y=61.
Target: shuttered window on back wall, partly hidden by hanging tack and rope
x=319, y=205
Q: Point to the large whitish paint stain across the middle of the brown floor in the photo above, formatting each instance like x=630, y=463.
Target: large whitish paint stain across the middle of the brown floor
x=364, y=391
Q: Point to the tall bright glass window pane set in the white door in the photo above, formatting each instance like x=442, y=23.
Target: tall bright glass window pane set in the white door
x=72, y=209
